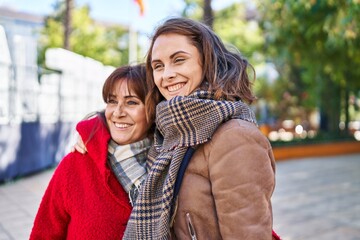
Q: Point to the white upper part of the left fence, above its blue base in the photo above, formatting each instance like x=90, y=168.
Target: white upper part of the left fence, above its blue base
x=67, y=92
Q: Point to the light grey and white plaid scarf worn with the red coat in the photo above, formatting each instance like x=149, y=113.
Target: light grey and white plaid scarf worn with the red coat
x=128, y=163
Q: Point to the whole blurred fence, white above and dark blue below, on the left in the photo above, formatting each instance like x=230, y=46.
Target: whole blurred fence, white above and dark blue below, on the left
x=40, y=107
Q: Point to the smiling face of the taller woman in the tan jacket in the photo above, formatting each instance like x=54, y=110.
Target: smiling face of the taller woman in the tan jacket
x=176, y=64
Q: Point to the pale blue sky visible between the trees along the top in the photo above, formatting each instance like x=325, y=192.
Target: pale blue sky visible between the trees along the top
x=119, y=11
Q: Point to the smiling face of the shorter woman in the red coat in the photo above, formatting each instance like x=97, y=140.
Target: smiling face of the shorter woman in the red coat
x=125, y=115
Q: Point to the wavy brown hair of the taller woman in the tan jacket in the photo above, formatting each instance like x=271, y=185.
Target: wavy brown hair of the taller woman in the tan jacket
x=224, y=72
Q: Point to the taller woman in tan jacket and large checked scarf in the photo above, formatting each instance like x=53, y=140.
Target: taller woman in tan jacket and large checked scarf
x=211, y=171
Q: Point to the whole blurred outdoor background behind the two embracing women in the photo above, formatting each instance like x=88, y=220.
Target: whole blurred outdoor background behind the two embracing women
x=55, y=56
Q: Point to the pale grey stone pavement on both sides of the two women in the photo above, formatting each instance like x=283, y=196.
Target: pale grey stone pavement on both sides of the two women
x=315, y=198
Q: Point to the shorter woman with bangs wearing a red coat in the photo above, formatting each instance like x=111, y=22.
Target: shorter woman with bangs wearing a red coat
x=88, y=195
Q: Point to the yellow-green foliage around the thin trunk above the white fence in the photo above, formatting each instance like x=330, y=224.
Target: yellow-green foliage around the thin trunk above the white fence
x=88, y=38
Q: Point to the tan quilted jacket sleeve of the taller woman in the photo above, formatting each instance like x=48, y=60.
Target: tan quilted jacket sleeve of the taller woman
x=242, y=175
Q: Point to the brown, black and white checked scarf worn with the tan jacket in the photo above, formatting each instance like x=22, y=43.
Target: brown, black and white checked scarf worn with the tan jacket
x=182, y=122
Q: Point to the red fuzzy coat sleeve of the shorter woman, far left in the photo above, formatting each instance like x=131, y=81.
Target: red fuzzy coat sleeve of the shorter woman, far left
x=52, y=218
